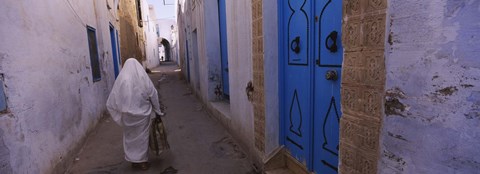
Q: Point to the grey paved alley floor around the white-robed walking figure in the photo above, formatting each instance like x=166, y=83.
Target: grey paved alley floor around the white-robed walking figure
x=199, y=144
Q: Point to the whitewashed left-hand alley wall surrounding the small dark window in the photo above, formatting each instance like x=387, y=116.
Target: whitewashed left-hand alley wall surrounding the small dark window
x=45, y=64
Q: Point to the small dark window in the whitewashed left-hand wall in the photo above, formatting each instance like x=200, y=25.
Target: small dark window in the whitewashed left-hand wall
x=92, y=46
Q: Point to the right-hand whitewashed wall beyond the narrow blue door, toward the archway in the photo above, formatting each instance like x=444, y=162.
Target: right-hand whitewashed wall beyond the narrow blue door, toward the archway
x=208, y=46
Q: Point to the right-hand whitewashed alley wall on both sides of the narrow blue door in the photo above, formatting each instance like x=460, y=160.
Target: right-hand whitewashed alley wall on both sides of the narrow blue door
x=239, y=32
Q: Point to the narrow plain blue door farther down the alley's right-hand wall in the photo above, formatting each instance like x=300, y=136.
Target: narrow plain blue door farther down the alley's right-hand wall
x=222, y=17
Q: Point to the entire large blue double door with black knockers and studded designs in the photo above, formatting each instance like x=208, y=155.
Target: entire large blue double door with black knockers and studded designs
x=311, y=56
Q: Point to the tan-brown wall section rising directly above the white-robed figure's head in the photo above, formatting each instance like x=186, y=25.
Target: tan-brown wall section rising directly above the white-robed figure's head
x=132, y=42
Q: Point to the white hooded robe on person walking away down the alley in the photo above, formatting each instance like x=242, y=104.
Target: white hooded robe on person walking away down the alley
x=130, y=103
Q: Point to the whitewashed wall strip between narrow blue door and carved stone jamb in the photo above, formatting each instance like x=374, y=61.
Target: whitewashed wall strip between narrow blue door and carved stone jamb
x=239, y=30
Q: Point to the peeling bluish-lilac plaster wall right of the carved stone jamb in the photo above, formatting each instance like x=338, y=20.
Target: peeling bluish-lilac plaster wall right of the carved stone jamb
x=433, y=90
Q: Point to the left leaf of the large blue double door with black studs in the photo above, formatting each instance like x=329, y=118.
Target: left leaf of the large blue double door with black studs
x=297, y=63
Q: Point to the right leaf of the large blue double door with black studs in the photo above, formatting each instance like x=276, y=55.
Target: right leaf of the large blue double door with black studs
x=328, y=63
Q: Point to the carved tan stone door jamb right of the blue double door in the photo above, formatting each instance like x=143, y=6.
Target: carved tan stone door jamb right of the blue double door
x=363, y=81
